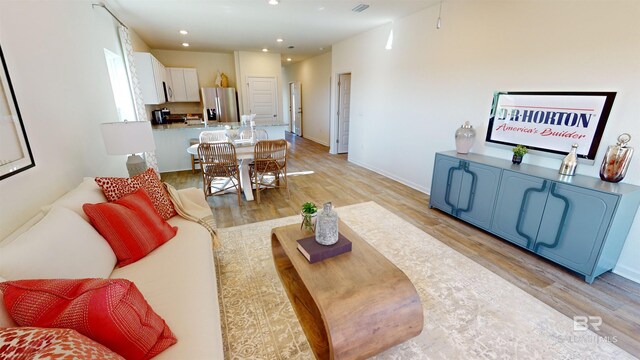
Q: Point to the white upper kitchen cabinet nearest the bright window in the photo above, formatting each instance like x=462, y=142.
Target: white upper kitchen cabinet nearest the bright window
x=152, y=76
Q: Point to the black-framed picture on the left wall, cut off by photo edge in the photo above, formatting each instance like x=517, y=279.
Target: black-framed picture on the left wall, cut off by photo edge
x=15, y=152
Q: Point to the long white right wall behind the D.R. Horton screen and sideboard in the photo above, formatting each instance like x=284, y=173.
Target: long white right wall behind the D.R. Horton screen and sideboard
x=418, y=93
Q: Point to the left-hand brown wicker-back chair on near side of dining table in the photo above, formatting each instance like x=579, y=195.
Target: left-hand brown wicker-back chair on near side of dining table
x=220, y=170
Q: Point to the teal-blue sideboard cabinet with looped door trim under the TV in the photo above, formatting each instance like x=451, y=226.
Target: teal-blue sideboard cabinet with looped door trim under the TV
x=577, y=221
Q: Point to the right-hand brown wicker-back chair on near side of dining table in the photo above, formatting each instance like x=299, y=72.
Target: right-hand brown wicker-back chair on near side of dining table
x=269, y=165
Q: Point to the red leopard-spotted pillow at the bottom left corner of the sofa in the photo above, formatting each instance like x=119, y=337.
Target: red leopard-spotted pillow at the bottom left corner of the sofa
x=38, y=343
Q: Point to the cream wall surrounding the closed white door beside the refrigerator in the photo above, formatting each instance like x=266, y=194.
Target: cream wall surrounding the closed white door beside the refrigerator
x=257, y=64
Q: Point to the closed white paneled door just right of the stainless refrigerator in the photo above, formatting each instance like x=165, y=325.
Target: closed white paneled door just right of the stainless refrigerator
x=263, y=100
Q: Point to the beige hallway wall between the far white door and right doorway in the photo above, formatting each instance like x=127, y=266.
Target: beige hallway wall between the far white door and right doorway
x=314, y=74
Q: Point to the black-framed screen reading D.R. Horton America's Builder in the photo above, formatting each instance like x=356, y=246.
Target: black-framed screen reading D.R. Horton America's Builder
x=550, y=121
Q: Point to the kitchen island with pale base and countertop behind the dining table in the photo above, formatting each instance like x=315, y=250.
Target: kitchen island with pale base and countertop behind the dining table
x=172, y=140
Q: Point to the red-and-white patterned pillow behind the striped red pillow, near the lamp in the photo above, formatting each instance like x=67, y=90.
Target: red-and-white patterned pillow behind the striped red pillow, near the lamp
x=115, y=188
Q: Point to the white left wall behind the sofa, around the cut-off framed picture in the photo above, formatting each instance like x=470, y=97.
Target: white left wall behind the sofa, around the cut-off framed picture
x=54, y=52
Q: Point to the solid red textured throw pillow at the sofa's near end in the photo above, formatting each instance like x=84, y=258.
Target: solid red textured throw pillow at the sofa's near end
x=112, y=312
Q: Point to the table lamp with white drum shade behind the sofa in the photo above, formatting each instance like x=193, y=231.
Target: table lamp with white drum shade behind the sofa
x=129, y=137
